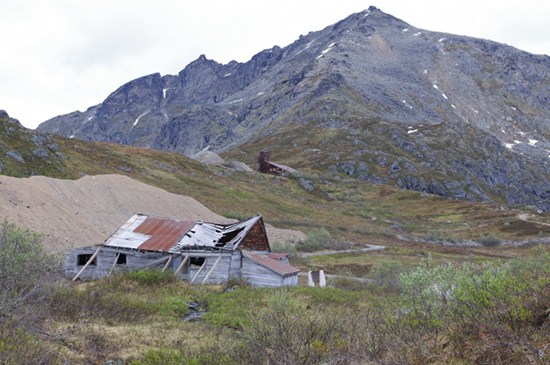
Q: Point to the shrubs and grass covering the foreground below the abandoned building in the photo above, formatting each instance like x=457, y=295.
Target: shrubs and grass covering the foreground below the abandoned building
x=434, y=309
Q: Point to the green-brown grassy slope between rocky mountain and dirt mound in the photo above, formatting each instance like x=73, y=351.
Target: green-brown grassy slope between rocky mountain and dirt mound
x=351, y=210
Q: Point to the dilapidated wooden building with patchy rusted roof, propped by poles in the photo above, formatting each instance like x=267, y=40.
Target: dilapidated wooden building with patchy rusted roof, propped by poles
x=200, y=252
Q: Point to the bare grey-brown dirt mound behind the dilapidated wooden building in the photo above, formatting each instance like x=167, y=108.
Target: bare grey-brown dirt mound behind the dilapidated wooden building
x=87, y=211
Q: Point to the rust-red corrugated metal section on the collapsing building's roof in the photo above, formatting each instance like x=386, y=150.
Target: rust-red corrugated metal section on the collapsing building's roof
x=164, y=233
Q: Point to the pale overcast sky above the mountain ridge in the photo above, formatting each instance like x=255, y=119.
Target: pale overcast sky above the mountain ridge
x=59, y=56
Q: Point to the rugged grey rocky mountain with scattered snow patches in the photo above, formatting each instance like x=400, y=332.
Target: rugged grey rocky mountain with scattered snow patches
x=450, y=115
